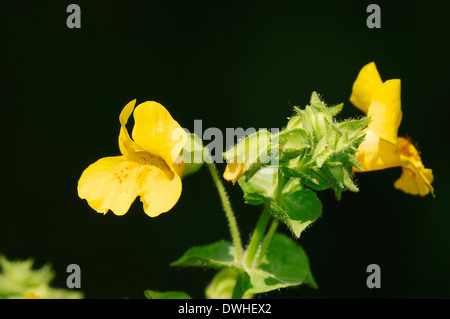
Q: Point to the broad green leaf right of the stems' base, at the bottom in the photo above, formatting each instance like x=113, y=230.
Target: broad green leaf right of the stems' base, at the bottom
x=284, y=265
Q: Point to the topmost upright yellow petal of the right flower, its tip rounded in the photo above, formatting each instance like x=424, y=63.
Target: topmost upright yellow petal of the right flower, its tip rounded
x=364, y=87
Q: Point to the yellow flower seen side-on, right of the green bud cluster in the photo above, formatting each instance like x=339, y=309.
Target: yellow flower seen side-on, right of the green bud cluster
x=382, y=148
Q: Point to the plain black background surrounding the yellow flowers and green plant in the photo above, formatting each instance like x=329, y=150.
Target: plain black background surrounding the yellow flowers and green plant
x=230, y=64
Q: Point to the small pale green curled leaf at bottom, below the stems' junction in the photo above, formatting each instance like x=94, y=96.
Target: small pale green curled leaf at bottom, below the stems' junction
x=222, y=285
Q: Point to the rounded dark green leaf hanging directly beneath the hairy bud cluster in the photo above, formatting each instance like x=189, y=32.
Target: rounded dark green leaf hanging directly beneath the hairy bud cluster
x=296, y=209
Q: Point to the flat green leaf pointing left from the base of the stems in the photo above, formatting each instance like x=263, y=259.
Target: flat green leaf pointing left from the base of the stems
x=217, y=255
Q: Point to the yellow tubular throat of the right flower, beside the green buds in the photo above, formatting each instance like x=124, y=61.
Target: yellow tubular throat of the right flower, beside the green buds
x=375, y=153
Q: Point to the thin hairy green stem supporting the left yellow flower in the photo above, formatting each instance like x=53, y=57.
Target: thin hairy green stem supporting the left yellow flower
x=226, y=206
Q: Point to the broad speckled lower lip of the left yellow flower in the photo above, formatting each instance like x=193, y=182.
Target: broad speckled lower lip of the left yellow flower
x=113, y=183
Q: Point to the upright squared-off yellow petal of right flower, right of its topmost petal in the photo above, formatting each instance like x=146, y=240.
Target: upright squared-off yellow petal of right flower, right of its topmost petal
x=385, y=111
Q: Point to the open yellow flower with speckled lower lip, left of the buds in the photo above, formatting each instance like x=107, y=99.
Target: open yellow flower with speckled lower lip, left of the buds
x=149, y=167
